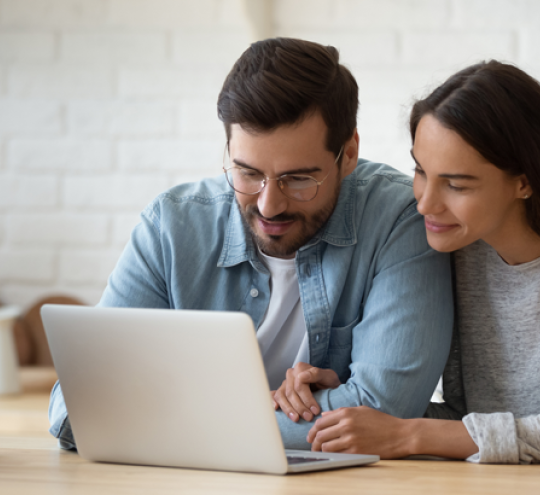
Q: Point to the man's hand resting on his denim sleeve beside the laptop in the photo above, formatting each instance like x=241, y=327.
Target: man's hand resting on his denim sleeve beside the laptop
x=295, y=396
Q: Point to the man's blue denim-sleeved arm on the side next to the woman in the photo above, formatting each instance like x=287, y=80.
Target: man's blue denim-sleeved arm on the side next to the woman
x=401, y=344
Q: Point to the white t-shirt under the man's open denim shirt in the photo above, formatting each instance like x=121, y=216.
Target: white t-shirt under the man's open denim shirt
x=282, y=334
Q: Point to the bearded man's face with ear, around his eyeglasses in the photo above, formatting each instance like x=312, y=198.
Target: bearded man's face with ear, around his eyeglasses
x=280, y=226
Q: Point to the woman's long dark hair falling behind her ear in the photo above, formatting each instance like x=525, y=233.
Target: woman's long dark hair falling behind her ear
x=495, y=107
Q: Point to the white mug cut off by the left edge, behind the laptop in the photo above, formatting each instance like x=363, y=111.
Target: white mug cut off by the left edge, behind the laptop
x=9, y=365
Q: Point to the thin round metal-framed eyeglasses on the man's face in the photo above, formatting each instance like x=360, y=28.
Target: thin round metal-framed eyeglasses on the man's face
x=295, y=186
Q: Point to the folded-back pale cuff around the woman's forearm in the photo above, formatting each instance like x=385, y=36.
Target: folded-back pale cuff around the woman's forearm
x=495, y=435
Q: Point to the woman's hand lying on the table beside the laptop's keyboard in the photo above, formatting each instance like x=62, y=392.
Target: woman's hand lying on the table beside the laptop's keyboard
x=360, y=430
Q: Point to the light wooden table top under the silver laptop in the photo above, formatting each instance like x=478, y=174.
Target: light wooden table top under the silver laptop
x=31, y=463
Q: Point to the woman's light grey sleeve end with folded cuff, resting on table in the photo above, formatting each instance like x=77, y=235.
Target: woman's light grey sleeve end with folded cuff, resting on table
x=503, y=439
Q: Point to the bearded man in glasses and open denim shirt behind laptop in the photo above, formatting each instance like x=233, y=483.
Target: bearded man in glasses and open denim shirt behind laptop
x=327, y=254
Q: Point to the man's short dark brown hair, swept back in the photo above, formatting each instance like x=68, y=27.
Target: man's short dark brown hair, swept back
x=280, y=81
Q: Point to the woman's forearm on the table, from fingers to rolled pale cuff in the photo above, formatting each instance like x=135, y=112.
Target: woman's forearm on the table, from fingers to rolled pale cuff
x=485, y=438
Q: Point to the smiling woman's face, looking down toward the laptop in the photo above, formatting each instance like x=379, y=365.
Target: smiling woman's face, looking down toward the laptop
x=462, y=196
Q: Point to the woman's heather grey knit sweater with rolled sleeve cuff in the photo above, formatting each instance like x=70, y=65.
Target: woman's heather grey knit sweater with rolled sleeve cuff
x=492, y=378
